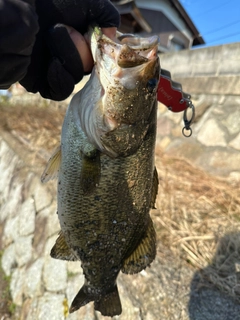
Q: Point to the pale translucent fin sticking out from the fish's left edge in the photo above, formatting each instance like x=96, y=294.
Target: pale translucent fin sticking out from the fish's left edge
x=53, y=165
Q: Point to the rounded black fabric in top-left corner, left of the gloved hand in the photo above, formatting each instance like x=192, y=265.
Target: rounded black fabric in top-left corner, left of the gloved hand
x=18, y=27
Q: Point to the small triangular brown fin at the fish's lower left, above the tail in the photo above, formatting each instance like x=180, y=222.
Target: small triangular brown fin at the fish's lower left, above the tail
x=61, y=250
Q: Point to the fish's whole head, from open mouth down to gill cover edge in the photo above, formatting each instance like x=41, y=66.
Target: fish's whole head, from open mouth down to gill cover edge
x=116, y=106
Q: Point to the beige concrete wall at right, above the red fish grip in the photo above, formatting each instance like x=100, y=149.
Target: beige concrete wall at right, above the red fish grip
x=212, y=70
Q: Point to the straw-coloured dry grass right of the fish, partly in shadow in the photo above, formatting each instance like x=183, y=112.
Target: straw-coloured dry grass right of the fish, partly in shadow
x=198, y=217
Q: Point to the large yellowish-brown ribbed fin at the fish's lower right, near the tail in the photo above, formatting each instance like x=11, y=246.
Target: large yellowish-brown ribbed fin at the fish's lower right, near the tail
x=144, y=254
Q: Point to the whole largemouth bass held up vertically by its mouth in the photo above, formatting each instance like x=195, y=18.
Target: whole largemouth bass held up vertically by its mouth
x=107, y=181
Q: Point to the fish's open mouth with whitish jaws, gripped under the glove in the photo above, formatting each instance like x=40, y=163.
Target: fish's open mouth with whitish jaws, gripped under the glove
x=114, y=57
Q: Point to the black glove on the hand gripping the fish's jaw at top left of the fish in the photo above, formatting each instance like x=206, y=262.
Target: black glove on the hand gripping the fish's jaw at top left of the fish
x=55, y=63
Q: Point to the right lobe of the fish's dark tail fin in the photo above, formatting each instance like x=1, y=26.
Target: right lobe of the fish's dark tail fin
x=110, y=304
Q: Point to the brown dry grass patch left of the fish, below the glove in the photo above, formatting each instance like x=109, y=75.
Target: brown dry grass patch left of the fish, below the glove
x=37, y=127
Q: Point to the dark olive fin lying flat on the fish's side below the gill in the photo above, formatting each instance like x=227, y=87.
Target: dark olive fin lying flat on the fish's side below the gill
x=90, y=173
